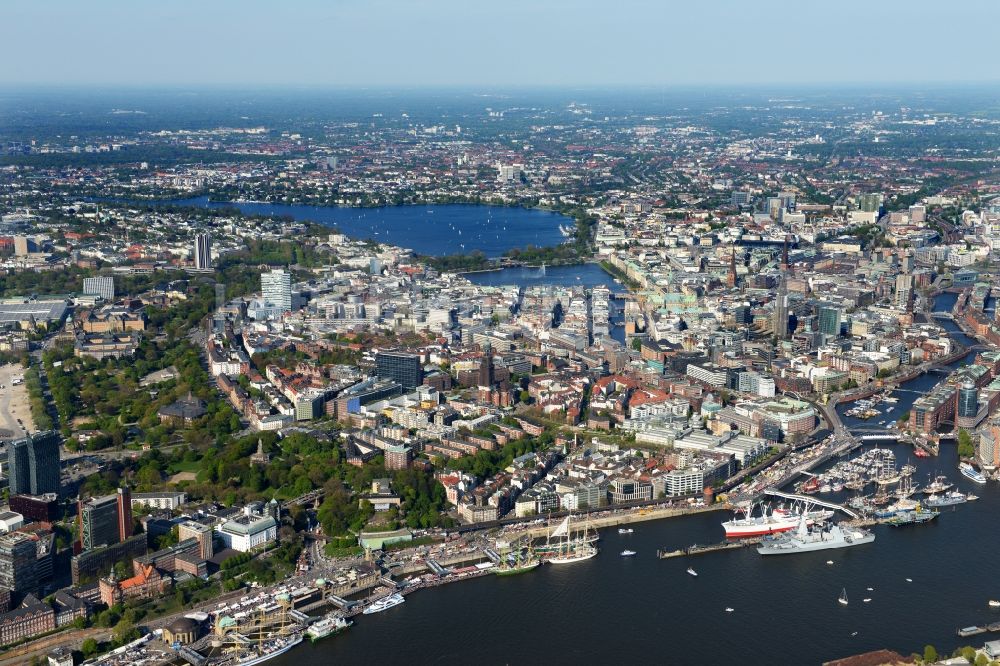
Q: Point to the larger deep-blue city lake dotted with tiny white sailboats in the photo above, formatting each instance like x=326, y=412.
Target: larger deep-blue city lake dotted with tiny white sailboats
x=434, y=230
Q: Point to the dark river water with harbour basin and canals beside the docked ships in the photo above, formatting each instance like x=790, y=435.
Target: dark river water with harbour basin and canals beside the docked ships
x=616, y=610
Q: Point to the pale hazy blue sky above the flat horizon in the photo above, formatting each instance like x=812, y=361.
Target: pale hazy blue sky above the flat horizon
x=497, y=42
